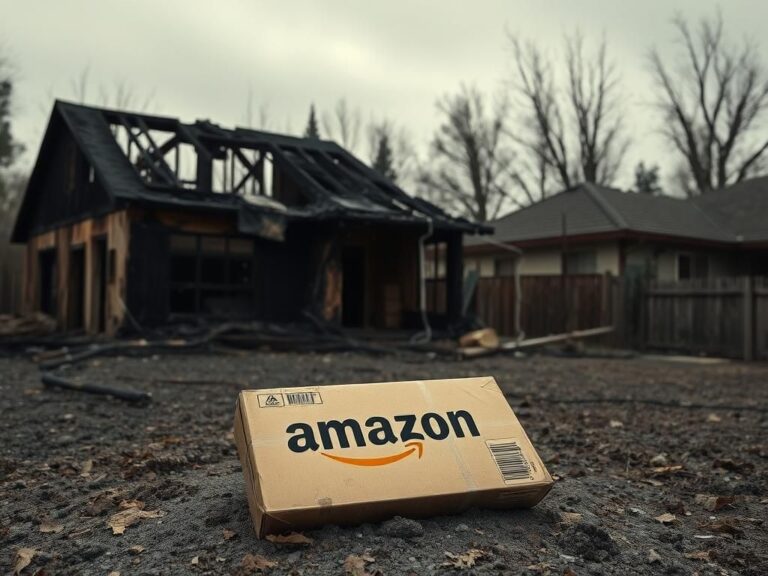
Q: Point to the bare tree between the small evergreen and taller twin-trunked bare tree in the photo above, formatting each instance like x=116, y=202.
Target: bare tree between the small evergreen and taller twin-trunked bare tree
x=470, y=168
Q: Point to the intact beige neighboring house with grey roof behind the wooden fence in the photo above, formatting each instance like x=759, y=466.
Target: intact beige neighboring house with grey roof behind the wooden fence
x=591, y=229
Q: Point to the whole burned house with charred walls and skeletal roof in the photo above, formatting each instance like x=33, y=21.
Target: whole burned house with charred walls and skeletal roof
x=135, y=220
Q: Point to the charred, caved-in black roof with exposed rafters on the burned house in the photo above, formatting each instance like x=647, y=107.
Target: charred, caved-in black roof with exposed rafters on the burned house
x=147, y=159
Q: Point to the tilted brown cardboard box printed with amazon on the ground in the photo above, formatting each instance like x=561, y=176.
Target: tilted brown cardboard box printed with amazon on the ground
x=366, y=452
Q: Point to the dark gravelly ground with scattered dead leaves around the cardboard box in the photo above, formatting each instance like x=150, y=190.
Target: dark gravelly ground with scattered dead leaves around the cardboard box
x=641, y=488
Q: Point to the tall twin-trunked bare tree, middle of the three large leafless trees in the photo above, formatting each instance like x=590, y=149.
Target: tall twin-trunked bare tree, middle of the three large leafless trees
x=573, y=131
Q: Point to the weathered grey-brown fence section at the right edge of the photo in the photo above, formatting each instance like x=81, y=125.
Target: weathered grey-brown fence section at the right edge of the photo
x=714, y=316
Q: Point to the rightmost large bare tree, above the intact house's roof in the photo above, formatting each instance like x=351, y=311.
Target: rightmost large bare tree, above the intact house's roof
x=713, y=106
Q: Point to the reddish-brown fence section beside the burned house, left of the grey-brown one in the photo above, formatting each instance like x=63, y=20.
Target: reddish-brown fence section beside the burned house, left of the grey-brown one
x=549, y=304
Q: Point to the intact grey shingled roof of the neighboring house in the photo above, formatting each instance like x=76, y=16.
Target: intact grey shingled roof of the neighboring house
x=738, y=214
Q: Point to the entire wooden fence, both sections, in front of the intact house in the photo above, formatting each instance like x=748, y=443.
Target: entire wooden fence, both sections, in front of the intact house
x=715, y=316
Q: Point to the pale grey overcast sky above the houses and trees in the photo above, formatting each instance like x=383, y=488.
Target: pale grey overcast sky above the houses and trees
x=389, y=58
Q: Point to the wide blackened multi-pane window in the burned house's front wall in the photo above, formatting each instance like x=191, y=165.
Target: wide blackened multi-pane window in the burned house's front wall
x=213, y=275
